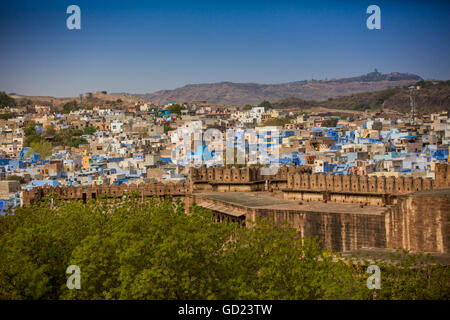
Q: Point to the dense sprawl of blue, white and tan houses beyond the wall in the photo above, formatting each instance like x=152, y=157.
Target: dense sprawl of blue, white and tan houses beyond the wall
x=140, y=143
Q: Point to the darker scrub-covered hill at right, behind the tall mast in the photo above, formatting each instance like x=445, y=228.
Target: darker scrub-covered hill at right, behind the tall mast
x=433, y=96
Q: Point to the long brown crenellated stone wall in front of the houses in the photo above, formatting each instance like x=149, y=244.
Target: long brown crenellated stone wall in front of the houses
x=296, y=182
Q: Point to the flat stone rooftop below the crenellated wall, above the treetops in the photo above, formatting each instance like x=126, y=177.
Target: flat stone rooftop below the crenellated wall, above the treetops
x=274, y=201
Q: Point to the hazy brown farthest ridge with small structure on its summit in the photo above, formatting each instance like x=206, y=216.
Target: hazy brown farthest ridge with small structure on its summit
x=239, y=94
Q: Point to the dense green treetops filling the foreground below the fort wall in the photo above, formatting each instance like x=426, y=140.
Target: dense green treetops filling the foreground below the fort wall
x=129, y=249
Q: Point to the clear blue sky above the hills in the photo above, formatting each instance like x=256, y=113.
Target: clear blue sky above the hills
x=144, y=46
